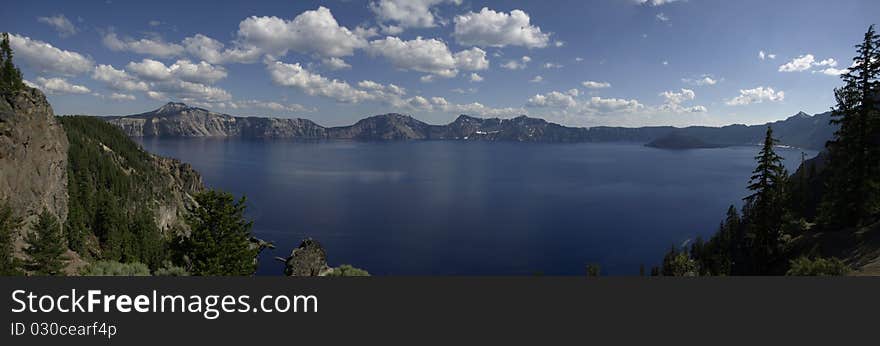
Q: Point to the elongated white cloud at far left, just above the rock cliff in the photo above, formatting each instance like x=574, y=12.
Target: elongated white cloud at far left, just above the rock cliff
x=45, y=58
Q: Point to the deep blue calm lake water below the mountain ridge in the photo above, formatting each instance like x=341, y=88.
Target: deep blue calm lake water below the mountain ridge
x=474, y=208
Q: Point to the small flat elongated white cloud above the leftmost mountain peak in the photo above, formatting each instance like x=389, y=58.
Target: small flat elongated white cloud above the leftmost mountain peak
x=185, y=70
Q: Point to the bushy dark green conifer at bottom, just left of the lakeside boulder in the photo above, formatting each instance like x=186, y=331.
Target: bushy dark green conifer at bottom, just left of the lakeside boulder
x=220, y=239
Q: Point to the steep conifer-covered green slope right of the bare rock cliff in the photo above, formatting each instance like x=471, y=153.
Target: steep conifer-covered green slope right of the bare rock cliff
x=113, y=187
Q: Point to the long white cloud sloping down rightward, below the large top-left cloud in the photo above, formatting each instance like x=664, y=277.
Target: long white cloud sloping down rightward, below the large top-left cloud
x=294, y=75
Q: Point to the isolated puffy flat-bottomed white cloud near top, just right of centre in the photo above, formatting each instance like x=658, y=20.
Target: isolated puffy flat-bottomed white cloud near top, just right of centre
x=498, y=29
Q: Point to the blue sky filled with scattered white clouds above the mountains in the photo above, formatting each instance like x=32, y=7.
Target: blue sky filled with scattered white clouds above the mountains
x=580, y=63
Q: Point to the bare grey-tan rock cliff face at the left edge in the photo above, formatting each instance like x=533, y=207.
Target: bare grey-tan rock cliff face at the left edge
x=33, y=156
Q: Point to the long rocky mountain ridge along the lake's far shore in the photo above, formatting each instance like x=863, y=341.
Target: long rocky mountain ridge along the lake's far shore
x=180, y=120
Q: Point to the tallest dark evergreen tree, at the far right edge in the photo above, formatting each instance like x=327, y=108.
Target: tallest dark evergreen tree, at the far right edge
x=853, y=191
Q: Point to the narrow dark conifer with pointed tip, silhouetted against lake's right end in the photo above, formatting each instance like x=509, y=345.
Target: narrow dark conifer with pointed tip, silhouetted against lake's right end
x=766, y=207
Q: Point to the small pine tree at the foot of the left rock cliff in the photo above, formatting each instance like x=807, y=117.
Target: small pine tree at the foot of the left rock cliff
x=46, y=246
